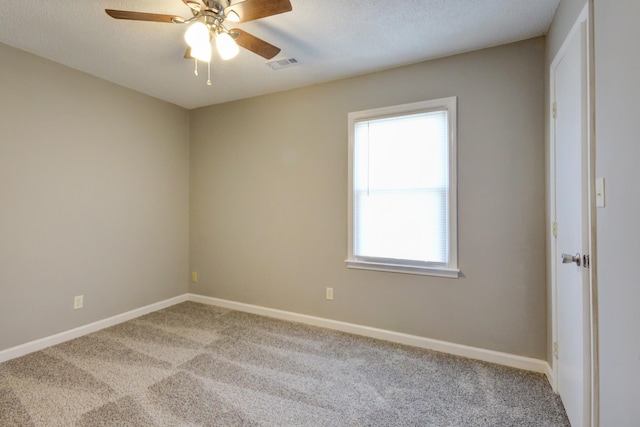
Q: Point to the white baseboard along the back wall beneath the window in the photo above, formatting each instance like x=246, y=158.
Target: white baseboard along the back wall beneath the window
x=506, y=359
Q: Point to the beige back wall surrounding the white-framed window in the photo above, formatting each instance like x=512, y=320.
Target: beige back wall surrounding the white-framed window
x=269, y=202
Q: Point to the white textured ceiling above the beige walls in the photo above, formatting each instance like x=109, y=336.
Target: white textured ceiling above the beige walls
x=331, y=39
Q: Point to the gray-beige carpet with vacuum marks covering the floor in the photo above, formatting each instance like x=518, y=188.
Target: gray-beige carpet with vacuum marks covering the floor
x=197, y=365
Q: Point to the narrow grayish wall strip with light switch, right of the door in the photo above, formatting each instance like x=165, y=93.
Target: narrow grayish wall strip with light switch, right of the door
x=617, y=37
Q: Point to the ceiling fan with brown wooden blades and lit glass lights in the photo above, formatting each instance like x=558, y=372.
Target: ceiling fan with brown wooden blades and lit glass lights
x=208, y=23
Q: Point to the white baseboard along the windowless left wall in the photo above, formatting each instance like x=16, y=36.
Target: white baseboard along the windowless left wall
x=30, y=347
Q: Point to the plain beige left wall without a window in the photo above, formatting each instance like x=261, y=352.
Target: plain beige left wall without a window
x=93, y=198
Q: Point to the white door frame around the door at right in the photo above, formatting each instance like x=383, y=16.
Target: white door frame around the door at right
x=584, y=20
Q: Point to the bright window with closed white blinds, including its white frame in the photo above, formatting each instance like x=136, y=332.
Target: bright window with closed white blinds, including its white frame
x=402, y=188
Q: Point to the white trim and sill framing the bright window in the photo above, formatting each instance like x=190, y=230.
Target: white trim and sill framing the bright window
x=431, y=269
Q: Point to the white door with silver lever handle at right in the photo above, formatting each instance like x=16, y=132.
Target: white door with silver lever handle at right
x=572, y=290
